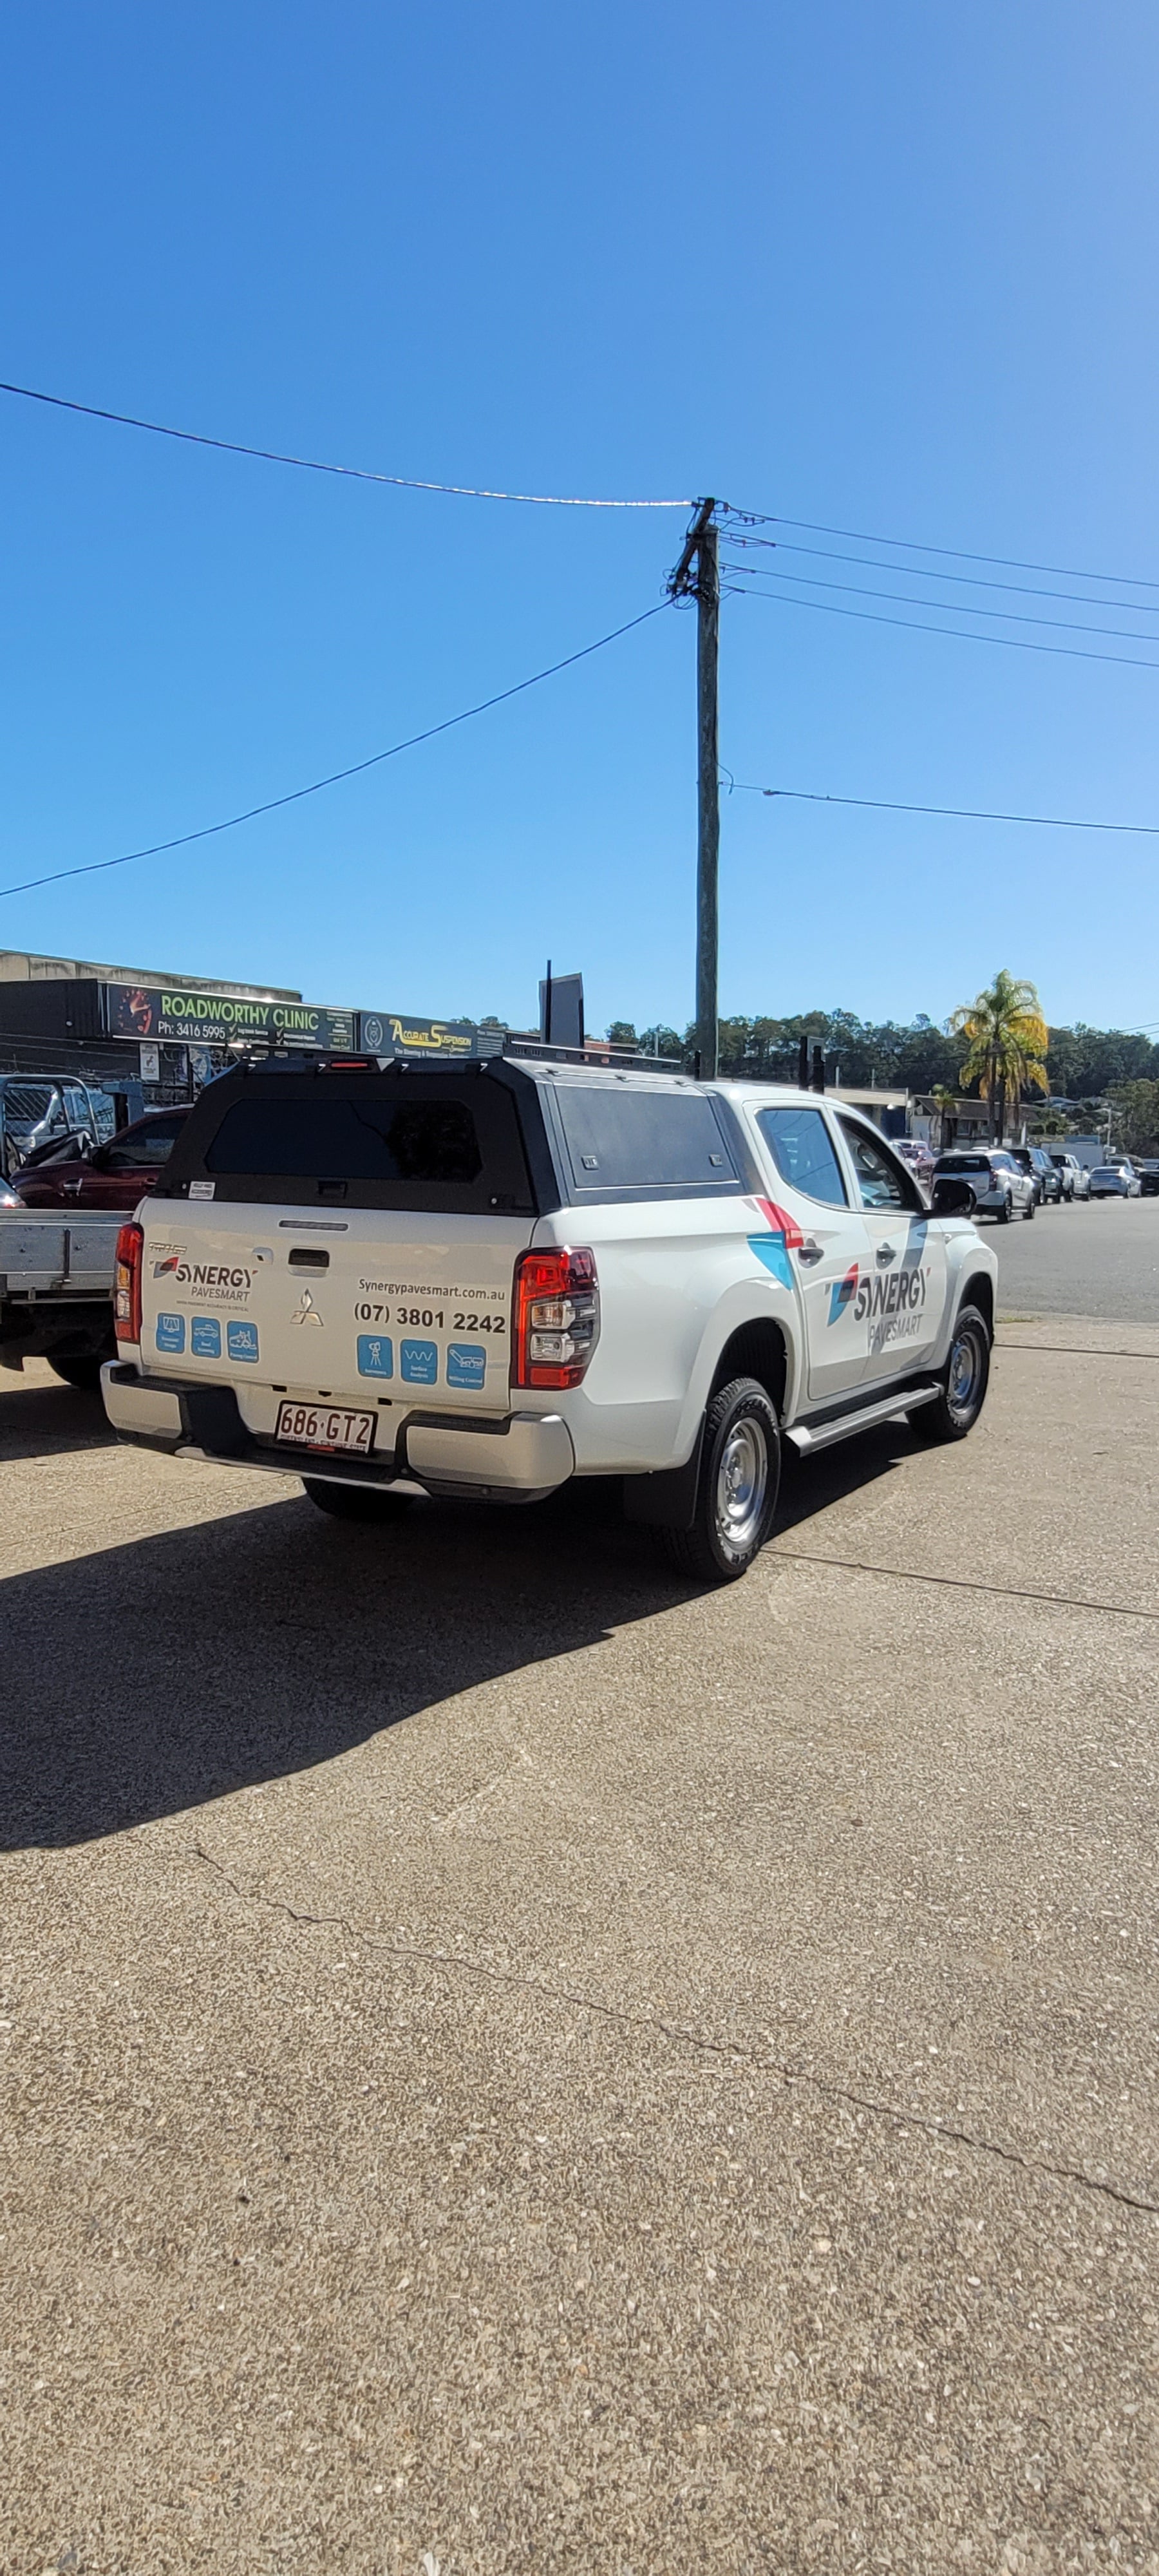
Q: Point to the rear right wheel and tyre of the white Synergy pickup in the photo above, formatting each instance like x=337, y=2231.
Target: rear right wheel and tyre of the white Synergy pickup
x=738, y=1488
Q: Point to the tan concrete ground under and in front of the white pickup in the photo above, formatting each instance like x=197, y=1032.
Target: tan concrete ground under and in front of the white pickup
x=514, y=2065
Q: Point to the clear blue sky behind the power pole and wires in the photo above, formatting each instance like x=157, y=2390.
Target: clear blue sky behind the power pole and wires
x=887, y=269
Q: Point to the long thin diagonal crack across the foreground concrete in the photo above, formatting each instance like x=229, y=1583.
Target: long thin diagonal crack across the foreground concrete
x=738, y=2052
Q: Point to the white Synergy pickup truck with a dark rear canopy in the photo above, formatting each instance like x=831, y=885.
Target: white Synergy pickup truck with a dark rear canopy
x=491, y=1279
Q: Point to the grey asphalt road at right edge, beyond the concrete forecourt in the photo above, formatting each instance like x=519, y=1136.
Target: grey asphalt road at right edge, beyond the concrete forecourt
x=1098, y=1258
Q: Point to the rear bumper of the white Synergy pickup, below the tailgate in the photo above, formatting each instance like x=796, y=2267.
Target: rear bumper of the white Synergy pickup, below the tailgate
x=504, y=1459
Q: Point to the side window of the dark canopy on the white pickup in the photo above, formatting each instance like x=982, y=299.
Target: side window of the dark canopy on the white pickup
x=625, y=1140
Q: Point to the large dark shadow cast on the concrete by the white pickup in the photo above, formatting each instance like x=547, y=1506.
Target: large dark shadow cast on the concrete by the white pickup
x=151, y=1678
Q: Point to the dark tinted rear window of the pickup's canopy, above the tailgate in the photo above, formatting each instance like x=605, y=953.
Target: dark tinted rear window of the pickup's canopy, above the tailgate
x=364, y=1140
